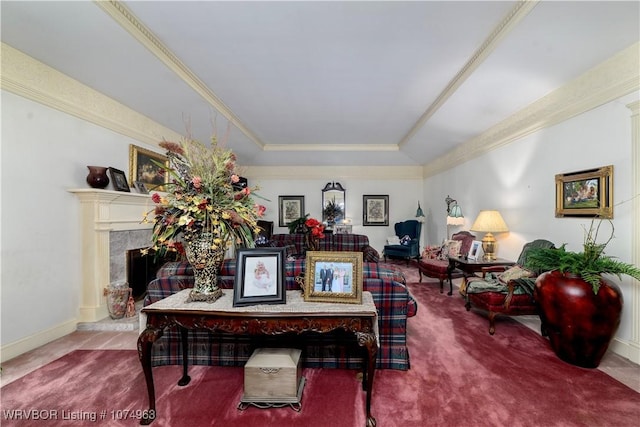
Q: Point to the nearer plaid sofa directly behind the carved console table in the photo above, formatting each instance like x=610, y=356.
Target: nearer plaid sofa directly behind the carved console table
x=335, y=350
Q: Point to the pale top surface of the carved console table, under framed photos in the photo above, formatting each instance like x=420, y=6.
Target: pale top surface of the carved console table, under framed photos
x=295, y=306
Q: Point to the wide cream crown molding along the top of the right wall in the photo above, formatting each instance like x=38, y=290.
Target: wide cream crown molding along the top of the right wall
x=610, y=80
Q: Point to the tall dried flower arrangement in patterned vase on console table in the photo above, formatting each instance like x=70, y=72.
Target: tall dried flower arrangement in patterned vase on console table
x=203, y=207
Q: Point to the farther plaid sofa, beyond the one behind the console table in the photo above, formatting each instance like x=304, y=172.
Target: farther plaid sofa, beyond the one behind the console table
x=331, y=242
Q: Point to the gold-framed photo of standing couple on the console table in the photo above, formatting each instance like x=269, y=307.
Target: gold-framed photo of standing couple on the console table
x=333, y=277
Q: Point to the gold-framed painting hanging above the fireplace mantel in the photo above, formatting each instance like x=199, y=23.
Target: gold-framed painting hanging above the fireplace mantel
x=143, y=168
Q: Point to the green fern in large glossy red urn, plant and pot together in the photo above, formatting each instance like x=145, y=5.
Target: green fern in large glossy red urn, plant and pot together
x=579, y=309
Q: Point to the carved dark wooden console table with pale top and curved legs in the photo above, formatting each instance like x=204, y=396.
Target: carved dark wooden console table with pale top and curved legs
x=296, y=316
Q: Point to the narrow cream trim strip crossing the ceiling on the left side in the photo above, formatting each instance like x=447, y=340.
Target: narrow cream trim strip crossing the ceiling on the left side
x=127, y=20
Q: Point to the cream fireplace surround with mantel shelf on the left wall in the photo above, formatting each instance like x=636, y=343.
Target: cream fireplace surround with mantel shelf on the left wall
x=111, y=223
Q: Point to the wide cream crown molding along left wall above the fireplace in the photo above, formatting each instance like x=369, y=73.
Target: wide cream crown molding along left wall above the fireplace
x=38, y=82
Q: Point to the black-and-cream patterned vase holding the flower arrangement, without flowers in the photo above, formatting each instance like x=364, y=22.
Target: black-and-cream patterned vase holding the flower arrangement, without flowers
x=206, y=260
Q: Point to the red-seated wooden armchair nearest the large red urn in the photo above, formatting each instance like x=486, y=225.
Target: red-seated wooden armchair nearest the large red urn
x=504, y=290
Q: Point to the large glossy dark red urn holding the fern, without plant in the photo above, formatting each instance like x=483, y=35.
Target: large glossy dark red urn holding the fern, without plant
x=579, y=323
